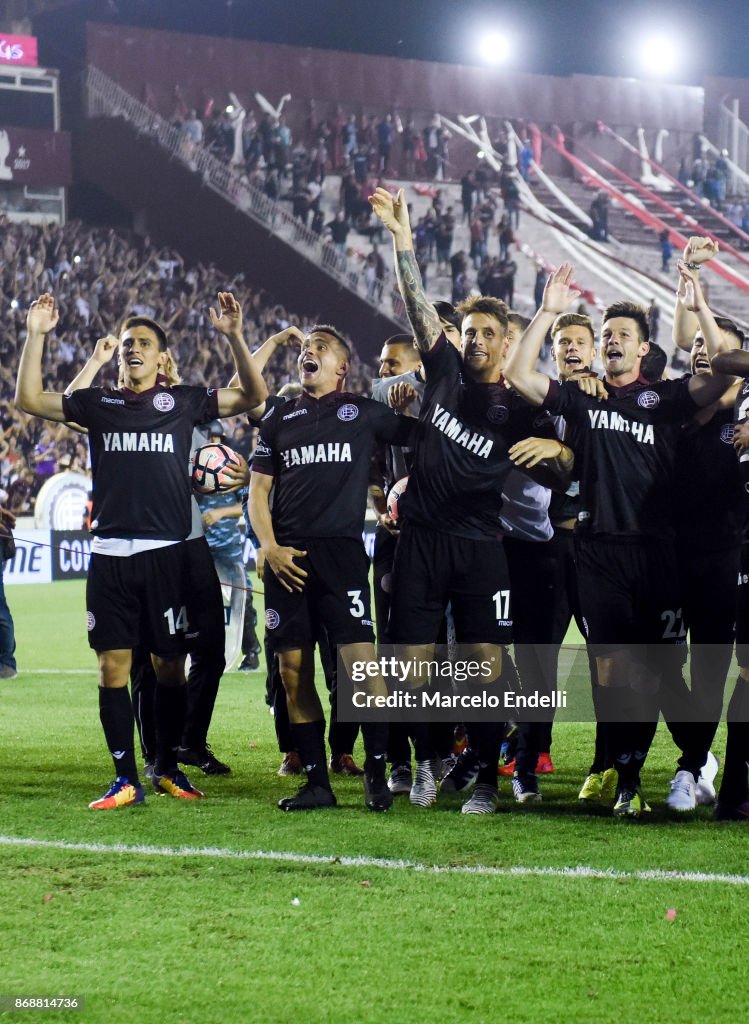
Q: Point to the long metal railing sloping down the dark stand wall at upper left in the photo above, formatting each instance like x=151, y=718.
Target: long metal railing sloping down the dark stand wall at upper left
x=106, y=99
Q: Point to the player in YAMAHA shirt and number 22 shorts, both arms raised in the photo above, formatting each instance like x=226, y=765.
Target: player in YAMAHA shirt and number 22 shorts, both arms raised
x=627, y=435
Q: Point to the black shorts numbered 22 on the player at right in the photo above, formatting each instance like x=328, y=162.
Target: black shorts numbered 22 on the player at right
x=630, y=592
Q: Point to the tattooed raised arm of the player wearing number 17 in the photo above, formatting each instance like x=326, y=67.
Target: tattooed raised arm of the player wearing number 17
x=425, y=319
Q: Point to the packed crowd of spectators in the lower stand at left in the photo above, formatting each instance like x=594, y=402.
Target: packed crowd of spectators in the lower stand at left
x=99, y=277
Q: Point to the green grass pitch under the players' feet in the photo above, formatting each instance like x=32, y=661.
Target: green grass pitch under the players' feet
x=209, y=914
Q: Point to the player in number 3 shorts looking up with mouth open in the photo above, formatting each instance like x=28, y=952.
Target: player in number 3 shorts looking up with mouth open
x=316, y=453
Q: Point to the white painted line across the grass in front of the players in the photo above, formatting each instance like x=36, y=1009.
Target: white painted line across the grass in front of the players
x=579, y=872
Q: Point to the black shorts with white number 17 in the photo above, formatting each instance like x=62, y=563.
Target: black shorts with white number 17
x=433, y=570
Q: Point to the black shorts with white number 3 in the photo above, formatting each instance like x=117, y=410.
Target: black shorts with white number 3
x=337, y=596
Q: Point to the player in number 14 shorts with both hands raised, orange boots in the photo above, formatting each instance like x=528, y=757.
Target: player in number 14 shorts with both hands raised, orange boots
x=140, y=438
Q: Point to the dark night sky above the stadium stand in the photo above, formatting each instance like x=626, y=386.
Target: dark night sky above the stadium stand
x=553, y=36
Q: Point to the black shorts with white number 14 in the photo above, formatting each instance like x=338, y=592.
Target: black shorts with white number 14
x=141, y=600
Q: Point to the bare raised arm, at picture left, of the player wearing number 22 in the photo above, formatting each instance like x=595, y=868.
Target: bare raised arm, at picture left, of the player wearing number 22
x=521, y=370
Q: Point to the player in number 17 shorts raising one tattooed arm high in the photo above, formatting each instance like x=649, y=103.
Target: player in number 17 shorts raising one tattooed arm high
x=450, y=546
